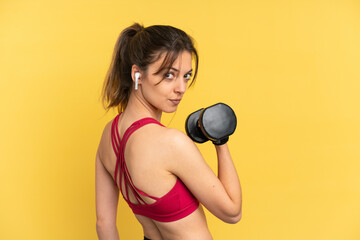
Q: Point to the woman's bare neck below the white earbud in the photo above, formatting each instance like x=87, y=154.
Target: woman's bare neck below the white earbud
x=138, y=107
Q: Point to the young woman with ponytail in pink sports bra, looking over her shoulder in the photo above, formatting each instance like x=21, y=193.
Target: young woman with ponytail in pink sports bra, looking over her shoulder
x=159, y=171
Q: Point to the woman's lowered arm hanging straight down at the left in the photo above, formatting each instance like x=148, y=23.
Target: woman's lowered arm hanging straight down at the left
x=107, y=195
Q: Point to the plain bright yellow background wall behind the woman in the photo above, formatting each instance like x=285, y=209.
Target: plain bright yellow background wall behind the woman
x=290, y=70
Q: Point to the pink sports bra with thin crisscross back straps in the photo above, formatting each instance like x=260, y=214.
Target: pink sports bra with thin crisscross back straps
x=176, y=204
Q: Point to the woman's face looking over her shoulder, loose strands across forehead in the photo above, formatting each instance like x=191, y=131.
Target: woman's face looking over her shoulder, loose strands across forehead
x=165, y=90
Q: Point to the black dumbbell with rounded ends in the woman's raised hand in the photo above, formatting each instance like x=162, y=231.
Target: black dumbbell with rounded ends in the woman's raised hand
x=215, y=123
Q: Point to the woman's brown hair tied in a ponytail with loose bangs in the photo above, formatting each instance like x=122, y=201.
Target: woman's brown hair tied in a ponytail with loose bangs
x=142, y=46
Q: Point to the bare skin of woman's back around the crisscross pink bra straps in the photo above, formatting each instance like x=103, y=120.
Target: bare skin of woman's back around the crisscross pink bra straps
x=146, y=162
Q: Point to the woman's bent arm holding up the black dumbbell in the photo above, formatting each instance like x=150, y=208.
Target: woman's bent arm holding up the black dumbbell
x=220, y=195
